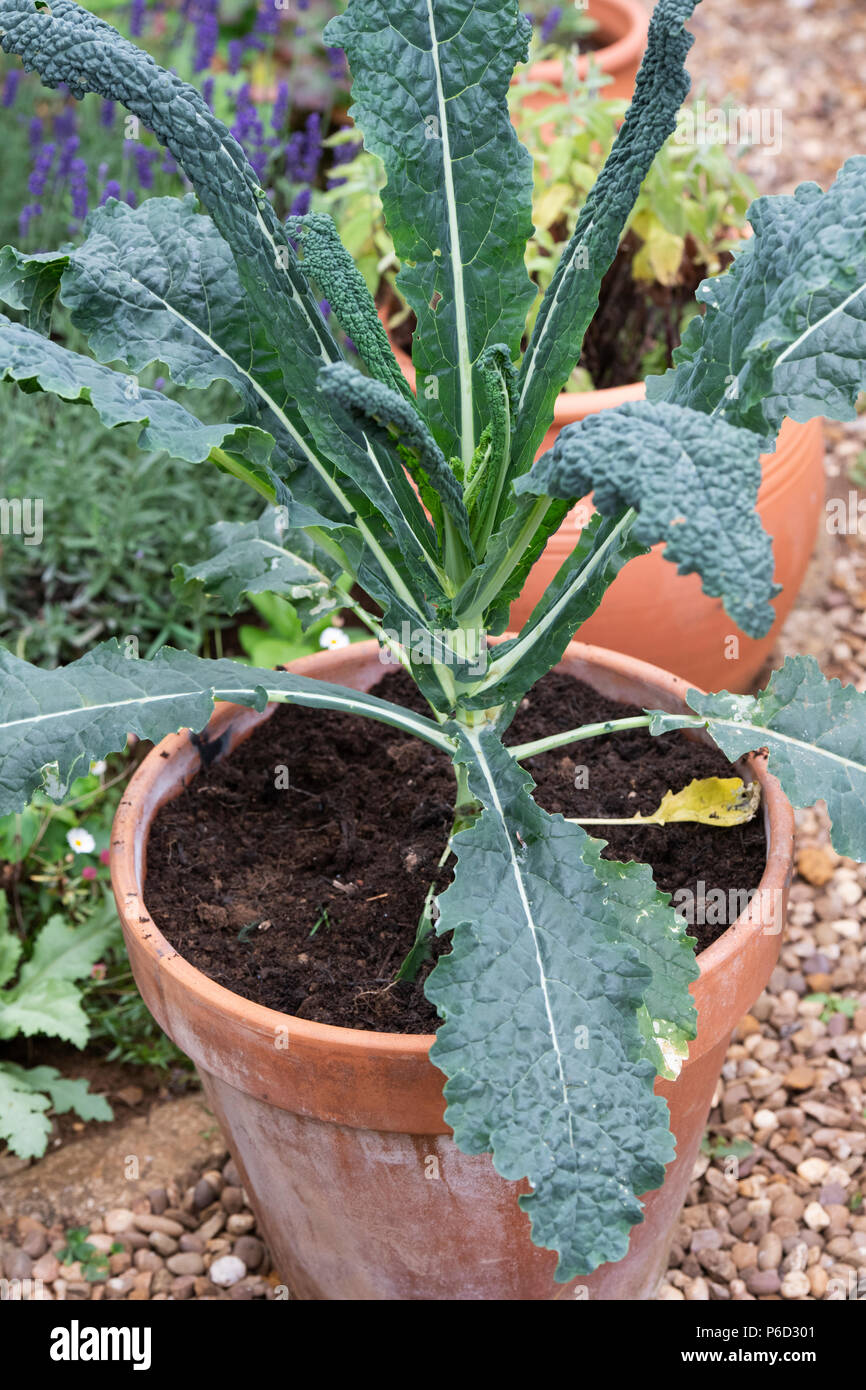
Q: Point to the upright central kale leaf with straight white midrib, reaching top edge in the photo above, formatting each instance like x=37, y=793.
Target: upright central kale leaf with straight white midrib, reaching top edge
x=430, y=90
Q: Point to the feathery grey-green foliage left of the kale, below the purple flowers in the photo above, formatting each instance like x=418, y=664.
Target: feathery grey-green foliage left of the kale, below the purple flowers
x=108, y=543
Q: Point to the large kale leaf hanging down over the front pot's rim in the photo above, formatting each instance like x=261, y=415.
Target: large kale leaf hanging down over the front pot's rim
x=532, y=897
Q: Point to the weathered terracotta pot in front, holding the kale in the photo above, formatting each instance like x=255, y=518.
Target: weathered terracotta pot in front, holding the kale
x=333, y=1129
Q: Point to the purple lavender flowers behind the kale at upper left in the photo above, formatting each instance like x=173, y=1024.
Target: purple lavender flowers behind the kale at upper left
x=73, y=162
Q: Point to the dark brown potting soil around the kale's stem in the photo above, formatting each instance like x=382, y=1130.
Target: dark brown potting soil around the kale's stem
x=308, y=899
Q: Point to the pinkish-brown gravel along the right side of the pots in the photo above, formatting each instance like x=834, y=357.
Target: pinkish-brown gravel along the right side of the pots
x=793, y=1214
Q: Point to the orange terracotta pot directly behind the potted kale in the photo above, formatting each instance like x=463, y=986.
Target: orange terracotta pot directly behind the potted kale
x=661, y=616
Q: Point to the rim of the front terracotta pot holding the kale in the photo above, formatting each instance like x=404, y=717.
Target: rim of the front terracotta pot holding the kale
x=129, y=851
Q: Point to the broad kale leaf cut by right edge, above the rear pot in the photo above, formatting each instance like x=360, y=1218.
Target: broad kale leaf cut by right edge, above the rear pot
x=785, y=332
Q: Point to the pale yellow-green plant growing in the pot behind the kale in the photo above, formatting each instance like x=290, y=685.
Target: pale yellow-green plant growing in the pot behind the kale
x=686, y=222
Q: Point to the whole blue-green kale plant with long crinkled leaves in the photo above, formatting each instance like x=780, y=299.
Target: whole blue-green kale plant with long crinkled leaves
x=436, y=505
